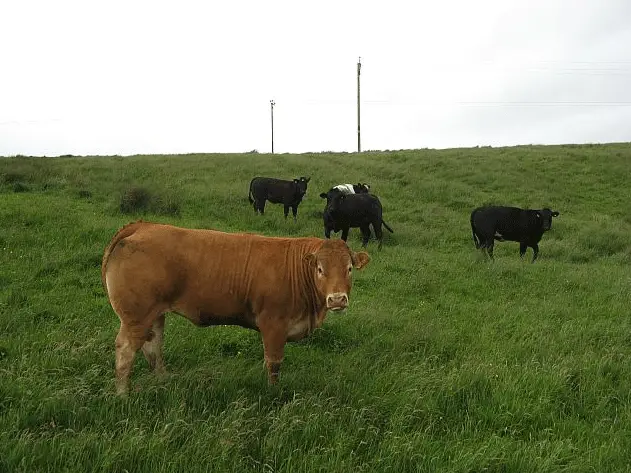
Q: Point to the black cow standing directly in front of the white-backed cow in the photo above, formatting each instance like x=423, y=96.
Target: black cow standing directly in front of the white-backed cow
x=344, y=211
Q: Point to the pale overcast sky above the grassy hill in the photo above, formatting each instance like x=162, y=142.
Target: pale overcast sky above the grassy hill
x=126, y=77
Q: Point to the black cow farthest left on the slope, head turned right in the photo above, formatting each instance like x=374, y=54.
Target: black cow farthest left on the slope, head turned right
x=277, y=191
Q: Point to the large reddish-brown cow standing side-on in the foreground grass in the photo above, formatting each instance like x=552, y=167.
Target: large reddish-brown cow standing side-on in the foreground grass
x=281, y=287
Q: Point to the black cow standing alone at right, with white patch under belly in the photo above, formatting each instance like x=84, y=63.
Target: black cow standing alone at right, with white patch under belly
x=510, y=223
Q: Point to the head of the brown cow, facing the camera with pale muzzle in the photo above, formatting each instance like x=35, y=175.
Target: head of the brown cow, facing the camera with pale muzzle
x=332, y=267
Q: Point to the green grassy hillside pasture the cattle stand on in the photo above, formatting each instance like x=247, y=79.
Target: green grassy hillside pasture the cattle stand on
x=443, y=362
